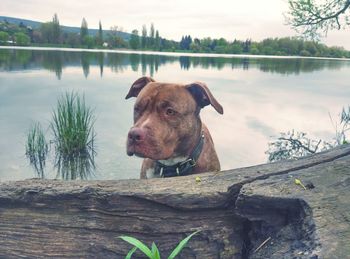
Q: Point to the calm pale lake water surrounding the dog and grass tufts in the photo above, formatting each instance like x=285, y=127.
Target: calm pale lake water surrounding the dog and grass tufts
x=261, y=98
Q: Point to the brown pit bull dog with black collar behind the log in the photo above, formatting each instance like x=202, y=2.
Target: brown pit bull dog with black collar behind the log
x=168, y=131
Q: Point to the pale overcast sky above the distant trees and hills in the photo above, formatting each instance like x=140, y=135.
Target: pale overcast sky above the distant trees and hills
x=173, y=18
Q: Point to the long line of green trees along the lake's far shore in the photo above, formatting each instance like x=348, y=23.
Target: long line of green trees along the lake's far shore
x=51, y=34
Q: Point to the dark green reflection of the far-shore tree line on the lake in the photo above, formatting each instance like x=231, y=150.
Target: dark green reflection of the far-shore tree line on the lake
x=56, y=61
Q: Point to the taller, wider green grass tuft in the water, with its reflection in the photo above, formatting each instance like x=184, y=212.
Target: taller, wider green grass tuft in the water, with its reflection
x=73, y=133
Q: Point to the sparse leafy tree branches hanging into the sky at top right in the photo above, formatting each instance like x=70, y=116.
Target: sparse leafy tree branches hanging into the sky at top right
x=315, y=19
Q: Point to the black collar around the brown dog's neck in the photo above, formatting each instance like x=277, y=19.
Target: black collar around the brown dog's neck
x=181, y=168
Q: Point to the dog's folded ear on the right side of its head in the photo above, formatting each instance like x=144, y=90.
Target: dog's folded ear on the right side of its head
x=203, y=96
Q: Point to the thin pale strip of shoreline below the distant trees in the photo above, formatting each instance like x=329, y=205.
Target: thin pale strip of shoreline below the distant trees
x=174, y=54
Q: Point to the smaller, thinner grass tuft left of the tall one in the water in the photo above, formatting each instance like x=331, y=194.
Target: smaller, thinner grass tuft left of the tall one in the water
x=37, y=148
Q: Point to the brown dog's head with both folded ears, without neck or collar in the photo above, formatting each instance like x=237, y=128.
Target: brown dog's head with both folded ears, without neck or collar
x=166, y=117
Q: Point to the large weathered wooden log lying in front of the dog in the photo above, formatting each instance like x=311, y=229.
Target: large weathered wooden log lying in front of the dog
x=254, y=212
